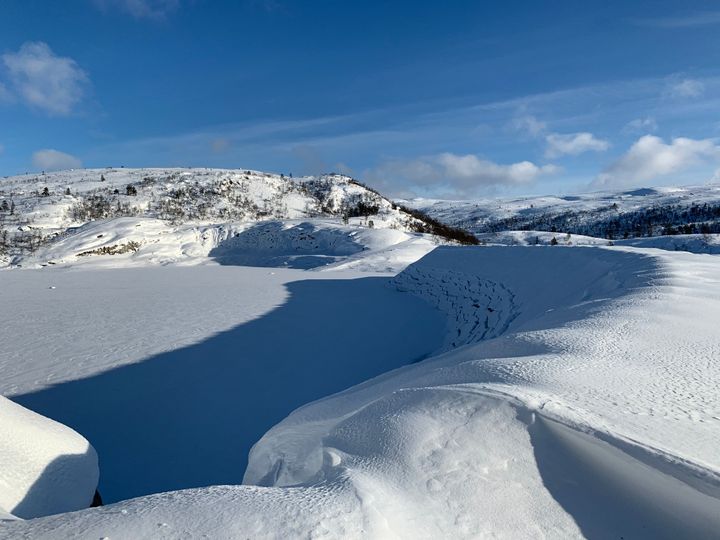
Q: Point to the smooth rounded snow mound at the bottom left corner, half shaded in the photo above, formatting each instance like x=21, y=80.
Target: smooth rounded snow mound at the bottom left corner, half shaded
x=47, y=468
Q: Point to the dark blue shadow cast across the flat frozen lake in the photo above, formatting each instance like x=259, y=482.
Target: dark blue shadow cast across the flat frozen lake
x=188, y=417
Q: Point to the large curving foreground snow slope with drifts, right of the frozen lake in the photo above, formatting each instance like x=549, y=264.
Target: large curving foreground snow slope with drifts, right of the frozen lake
x=576, y=397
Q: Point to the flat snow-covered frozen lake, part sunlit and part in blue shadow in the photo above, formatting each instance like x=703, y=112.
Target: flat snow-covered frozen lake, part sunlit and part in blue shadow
x=177, y=371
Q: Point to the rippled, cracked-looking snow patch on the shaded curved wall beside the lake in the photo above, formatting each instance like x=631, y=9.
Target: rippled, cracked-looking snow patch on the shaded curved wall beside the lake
x=476, y=309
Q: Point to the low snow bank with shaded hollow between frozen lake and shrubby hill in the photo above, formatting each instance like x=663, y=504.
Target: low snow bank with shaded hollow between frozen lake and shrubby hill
x=305, y=244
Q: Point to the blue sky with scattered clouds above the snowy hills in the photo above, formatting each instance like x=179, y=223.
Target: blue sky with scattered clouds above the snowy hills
x=438, y=99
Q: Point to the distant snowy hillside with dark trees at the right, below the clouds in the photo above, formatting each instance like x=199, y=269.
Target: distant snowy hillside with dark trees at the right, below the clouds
x=612, y=215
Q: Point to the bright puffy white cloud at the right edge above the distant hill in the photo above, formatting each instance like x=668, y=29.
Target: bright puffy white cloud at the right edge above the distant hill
x=650, y=157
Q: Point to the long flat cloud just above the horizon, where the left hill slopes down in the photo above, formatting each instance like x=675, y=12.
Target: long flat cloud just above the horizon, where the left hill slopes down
x=454, y=175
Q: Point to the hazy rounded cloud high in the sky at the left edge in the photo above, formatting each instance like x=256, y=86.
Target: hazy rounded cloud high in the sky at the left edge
x=43, y=80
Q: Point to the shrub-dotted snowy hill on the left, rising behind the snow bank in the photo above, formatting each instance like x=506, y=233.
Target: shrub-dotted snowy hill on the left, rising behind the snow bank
x=81, y=213
